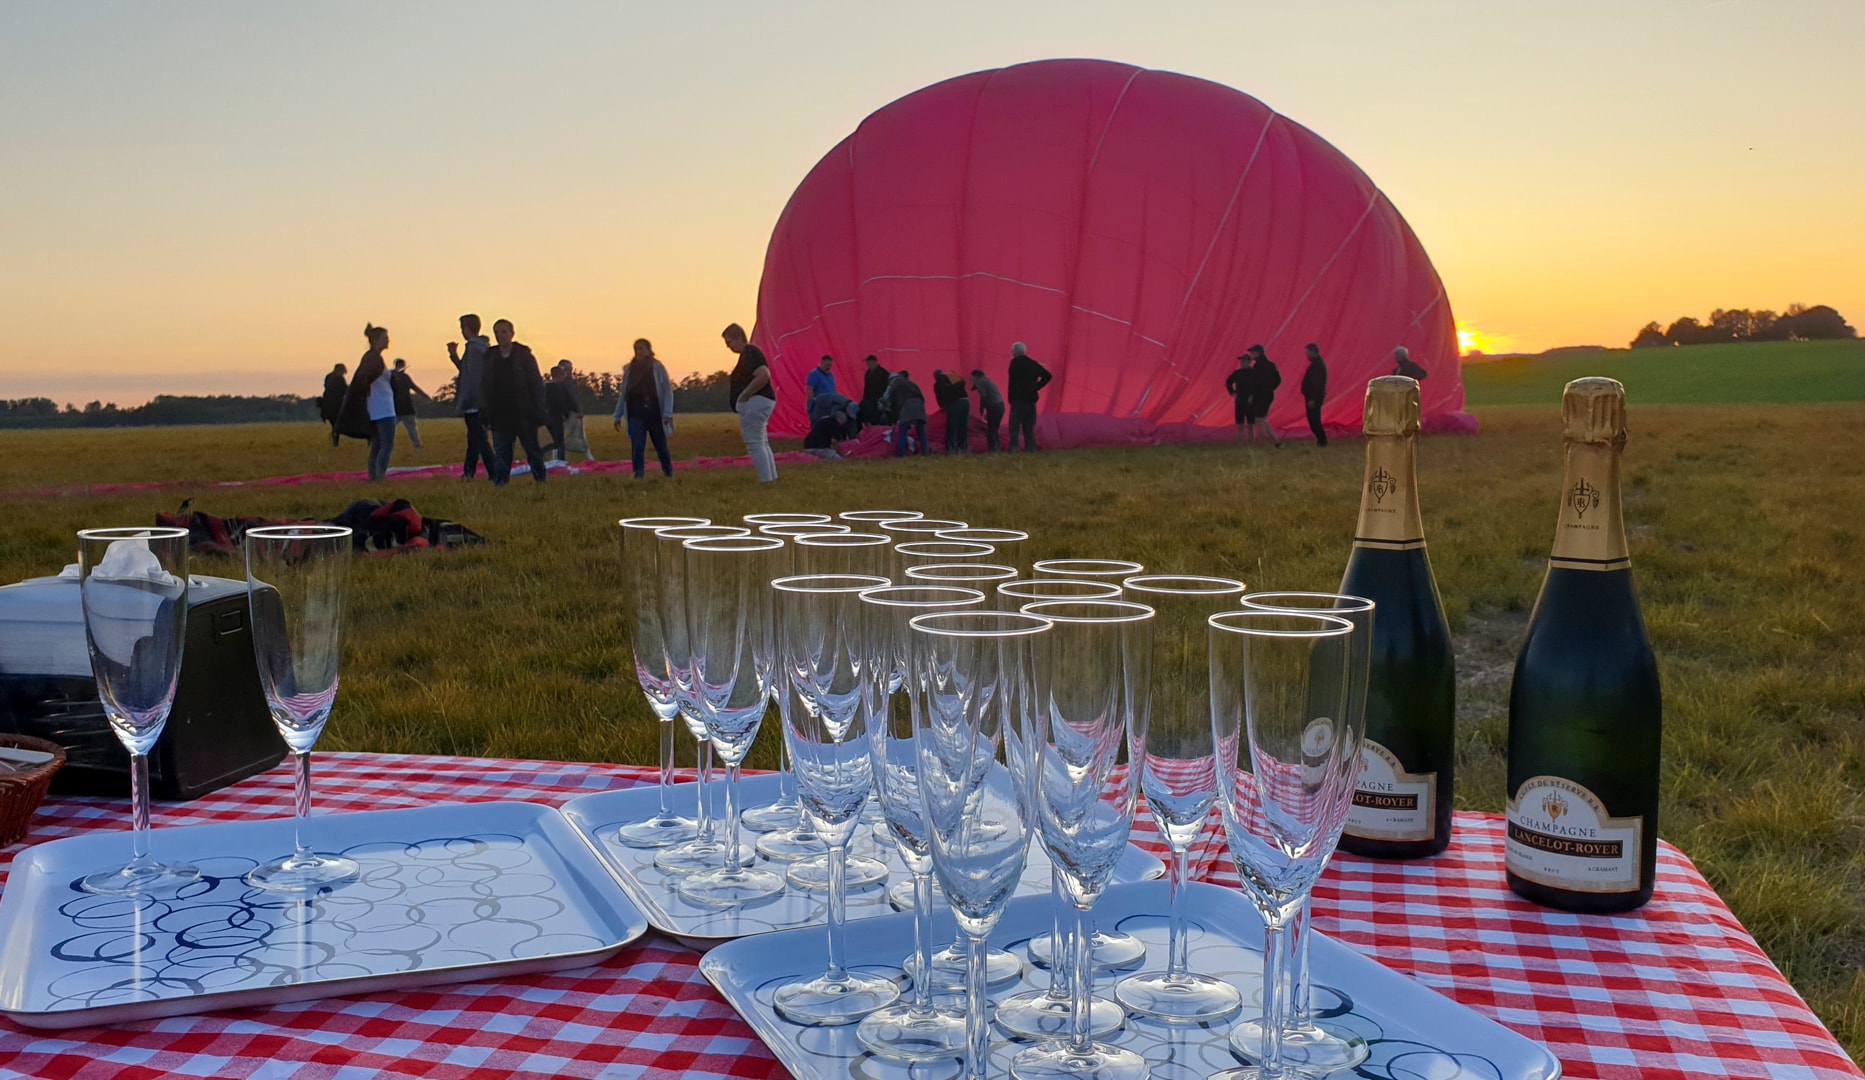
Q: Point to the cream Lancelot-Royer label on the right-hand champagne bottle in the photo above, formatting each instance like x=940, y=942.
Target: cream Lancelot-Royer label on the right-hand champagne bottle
x=1562, y=837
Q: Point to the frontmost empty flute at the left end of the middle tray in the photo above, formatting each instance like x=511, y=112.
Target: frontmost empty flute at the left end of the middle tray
x=730, y=633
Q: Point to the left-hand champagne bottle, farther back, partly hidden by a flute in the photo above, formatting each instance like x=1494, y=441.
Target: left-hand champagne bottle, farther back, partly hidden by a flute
x=1403, y=794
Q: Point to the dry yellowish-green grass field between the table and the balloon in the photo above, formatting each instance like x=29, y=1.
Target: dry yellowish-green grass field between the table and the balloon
x=1745, y=536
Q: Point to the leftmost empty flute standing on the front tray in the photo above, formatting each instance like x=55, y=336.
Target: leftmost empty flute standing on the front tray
x=825, y=661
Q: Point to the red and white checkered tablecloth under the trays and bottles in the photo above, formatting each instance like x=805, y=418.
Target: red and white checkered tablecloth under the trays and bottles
x=1672, y=991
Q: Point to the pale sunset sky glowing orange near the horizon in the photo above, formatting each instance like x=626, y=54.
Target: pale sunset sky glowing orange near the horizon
x=215, y=197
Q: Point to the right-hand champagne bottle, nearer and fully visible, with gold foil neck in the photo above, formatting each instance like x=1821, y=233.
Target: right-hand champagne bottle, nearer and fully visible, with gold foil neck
x=1586, y=710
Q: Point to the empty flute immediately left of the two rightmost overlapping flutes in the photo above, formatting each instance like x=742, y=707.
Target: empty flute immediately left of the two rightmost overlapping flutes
x=1180, y=781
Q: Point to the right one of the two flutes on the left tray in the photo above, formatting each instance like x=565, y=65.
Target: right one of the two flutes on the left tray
x=296, y=581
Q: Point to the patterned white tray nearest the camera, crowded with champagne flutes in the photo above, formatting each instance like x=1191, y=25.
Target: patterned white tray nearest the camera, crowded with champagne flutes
x=1411, y=1029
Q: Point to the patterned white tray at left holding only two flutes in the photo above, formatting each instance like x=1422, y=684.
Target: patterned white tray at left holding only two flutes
x=447, y=894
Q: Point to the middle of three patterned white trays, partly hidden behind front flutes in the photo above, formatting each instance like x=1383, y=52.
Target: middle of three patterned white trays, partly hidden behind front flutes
x=601, y=814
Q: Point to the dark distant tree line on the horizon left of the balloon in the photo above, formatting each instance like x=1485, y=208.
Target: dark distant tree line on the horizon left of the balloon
x=598, y=393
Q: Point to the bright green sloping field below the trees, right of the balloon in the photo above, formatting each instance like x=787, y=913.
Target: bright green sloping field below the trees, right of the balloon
x=1765, y=372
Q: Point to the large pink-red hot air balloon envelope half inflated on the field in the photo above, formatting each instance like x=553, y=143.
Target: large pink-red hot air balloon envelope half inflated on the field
x=1135, y=228
